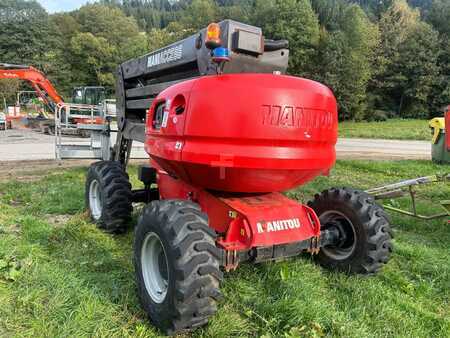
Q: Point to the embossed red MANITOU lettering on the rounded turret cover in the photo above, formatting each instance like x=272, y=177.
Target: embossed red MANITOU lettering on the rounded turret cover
x=297, y=117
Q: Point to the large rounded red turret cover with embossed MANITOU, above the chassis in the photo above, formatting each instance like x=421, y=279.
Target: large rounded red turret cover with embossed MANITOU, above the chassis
x=245, y=132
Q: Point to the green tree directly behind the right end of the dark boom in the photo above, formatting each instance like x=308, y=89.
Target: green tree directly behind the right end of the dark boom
x=280, y=19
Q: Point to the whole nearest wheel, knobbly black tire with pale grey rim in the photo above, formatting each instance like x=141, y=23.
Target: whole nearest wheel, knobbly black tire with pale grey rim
x=176, y=265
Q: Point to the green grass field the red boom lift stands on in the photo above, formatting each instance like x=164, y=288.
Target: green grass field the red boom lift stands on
x=61, y=277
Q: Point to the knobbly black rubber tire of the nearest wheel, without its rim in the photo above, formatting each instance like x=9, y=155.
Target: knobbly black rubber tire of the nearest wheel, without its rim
x=196, y=264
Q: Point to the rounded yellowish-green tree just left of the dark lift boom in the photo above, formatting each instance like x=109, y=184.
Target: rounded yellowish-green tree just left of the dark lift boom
x=105, y=37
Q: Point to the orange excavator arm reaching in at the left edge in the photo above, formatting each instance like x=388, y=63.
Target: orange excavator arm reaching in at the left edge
x=37, y=80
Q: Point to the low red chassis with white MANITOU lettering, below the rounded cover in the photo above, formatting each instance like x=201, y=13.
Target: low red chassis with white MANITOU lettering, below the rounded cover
x=247, y=221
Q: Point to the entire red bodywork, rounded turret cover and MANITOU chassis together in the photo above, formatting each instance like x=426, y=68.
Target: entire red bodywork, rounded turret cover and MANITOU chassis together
x=231, y=143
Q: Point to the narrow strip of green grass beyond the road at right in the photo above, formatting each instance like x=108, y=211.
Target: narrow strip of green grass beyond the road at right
x=394, y=129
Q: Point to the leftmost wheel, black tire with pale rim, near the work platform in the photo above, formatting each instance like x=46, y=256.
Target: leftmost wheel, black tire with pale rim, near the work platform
x=108, y=196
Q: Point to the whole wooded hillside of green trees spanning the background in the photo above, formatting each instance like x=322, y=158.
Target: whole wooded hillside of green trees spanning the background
x=403, y=66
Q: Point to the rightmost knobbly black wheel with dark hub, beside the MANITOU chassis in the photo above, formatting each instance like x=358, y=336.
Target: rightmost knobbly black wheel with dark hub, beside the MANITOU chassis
x=365, y=233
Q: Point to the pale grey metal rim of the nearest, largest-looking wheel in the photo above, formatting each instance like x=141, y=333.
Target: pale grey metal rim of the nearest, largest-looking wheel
x=154, y=267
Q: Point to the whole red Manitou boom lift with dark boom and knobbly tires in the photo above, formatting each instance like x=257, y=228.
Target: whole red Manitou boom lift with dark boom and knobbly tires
x=226, y=133
